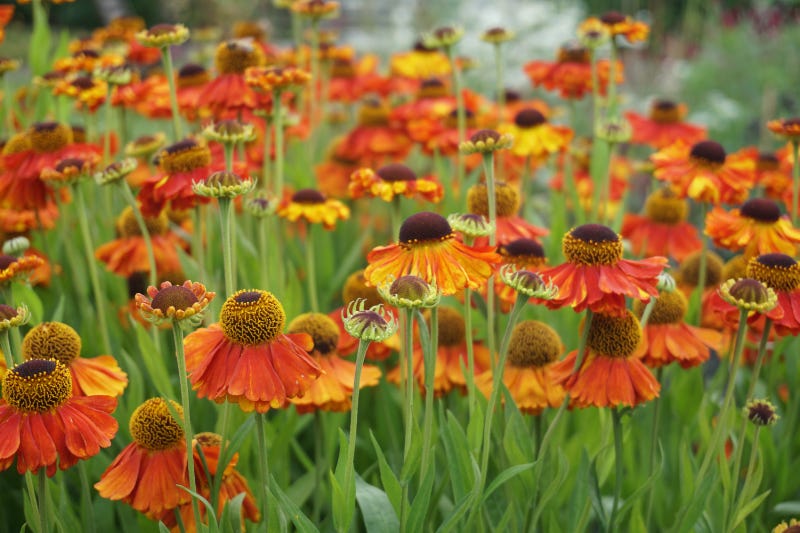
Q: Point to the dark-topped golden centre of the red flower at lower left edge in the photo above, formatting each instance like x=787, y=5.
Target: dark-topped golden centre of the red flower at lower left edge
x=37, y=386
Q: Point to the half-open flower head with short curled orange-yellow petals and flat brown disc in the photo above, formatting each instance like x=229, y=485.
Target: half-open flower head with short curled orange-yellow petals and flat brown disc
x=174, y=303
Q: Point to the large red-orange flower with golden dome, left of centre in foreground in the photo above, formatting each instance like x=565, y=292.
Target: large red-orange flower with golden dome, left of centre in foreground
x=246, y=359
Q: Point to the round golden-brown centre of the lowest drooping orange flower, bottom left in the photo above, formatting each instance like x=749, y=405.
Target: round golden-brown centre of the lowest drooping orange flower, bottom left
x=153, y=427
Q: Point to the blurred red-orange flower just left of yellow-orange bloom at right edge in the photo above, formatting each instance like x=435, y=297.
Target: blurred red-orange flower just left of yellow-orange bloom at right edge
x=663, y=229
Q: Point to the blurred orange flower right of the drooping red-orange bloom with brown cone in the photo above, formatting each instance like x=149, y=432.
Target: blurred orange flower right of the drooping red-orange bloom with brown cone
x=668, y=338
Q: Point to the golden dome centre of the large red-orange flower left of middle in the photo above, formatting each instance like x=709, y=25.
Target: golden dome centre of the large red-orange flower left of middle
x=252, y=317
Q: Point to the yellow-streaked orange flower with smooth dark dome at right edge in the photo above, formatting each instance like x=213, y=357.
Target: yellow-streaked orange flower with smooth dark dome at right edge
x=757, y=228
